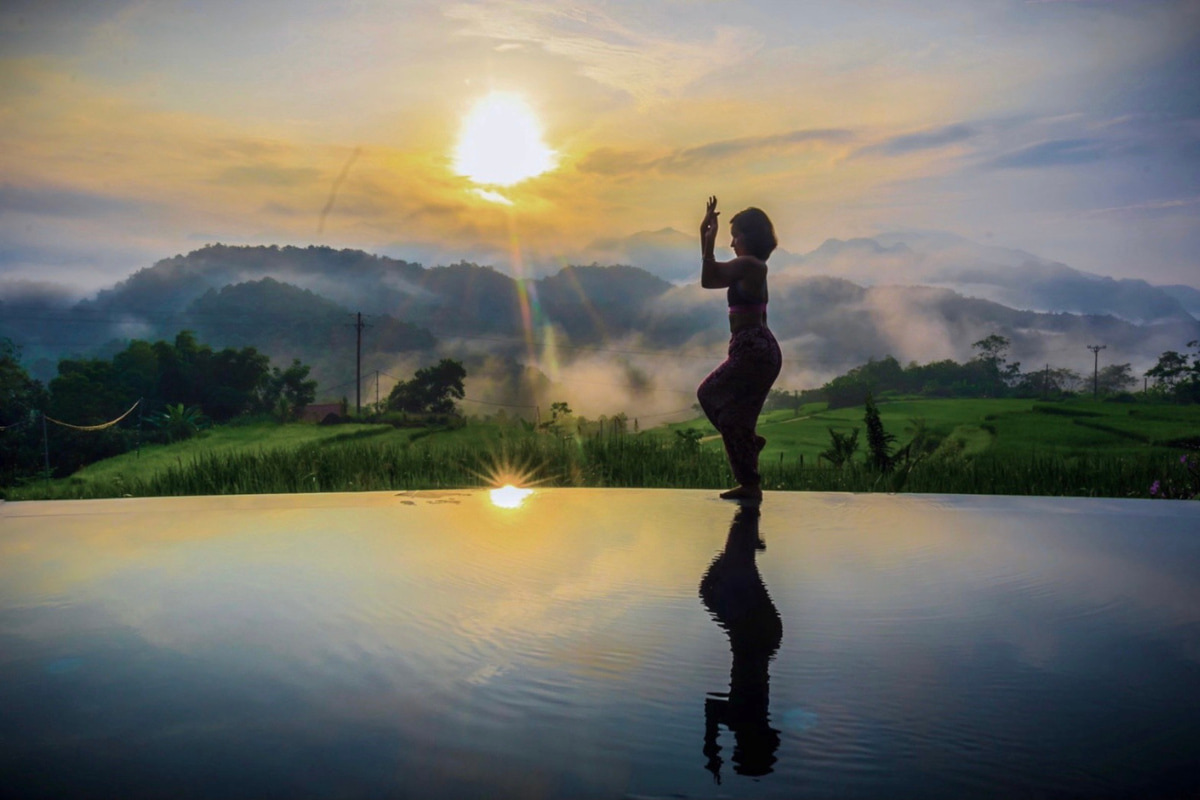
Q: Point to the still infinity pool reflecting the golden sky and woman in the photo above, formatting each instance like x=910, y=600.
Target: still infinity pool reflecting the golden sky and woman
x=599, y=643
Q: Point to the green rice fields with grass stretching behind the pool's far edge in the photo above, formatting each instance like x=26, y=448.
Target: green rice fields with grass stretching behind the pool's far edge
x=974, y=447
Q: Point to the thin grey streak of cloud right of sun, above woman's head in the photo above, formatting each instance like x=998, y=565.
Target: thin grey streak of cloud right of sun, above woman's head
x=609, y=161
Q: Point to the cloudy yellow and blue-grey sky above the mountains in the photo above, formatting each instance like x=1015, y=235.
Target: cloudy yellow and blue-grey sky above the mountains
x=133, y=131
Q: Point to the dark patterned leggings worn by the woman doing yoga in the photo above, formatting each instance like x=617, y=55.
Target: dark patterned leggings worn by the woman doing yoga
x=734, y=394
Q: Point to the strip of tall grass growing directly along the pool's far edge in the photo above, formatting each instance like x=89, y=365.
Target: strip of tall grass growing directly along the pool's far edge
x=619, y=461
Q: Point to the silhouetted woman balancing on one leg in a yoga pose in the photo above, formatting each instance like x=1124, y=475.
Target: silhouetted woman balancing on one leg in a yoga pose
x=734, y=394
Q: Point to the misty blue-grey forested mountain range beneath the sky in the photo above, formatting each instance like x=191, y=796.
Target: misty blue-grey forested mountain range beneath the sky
x=638, y=332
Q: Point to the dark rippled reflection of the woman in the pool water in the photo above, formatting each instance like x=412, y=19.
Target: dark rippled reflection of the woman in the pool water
x=734, y=593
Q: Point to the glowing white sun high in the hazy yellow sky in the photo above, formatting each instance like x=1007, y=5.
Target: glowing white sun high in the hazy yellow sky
x=501, y=142
